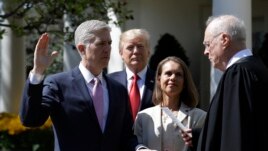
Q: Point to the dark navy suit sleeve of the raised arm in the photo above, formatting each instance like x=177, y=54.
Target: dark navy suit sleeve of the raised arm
x=38, y=101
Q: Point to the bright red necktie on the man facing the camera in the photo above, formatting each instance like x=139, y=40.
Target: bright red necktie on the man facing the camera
x=134, y=95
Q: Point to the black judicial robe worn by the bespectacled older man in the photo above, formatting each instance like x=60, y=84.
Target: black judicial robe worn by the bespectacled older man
x=238, y=113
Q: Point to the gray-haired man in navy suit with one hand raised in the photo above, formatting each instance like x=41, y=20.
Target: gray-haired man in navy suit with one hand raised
x=67, y=97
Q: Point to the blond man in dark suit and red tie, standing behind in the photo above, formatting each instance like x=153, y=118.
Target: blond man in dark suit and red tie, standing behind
x=134, y=48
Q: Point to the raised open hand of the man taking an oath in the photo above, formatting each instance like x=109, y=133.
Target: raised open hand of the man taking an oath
x=42, y=60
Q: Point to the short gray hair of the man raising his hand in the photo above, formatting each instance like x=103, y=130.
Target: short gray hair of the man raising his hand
x=86, y=30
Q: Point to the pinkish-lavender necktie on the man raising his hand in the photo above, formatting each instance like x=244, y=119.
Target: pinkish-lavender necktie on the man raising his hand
x=97, y=94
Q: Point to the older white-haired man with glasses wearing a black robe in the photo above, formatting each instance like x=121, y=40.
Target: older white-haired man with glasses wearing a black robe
x=237, y=113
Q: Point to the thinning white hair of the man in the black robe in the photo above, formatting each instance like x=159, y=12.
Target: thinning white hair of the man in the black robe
x=229, y=24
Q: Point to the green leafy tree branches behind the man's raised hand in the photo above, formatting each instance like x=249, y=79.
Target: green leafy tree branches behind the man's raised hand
x=51, y=16
